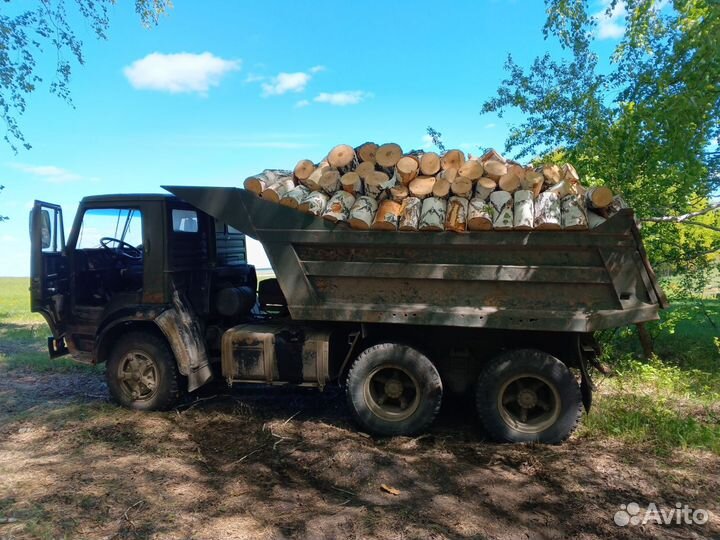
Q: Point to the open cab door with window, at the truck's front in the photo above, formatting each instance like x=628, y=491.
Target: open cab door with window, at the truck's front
x=49, y=271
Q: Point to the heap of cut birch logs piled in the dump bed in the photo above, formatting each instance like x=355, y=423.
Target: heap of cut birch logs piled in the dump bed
x=380, y=187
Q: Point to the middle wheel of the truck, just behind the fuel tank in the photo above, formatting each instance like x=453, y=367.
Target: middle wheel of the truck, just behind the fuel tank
x=393, y=389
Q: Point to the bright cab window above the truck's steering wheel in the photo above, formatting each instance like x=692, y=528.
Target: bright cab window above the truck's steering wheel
x=119, y=223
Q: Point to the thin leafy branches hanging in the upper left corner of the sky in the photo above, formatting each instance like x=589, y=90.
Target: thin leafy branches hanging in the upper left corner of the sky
x=25, y=33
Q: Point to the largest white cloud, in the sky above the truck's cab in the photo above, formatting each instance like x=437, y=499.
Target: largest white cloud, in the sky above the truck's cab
x=179, y=73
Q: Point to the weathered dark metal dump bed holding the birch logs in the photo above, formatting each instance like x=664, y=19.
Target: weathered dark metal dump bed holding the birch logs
x=577, y=281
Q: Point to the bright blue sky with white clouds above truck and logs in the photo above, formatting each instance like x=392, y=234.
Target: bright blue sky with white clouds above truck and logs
x=220, y=90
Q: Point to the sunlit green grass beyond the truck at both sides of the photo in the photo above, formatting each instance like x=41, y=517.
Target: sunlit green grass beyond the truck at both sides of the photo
x=669, y=402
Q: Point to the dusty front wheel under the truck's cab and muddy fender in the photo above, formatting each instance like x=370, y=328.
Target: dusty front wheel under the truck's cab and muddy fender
x=142, y=373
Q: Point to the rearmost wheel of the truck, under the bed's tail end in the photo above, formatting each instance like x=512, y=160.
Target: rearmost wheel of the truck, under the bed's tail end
x=528, y=396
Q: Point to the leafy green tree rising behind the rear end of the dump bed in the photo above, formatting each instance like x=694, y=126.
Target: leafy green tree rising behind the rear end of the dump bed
x=648, y=127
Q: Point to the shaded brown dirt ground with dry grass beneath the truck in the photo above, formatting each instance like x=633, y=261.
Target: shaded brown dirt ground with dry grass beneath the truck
x=256, y=463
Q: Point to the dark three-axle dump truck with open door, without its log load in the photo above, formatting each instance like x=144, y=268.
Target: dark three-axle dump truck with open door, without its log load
x=158, y=287
